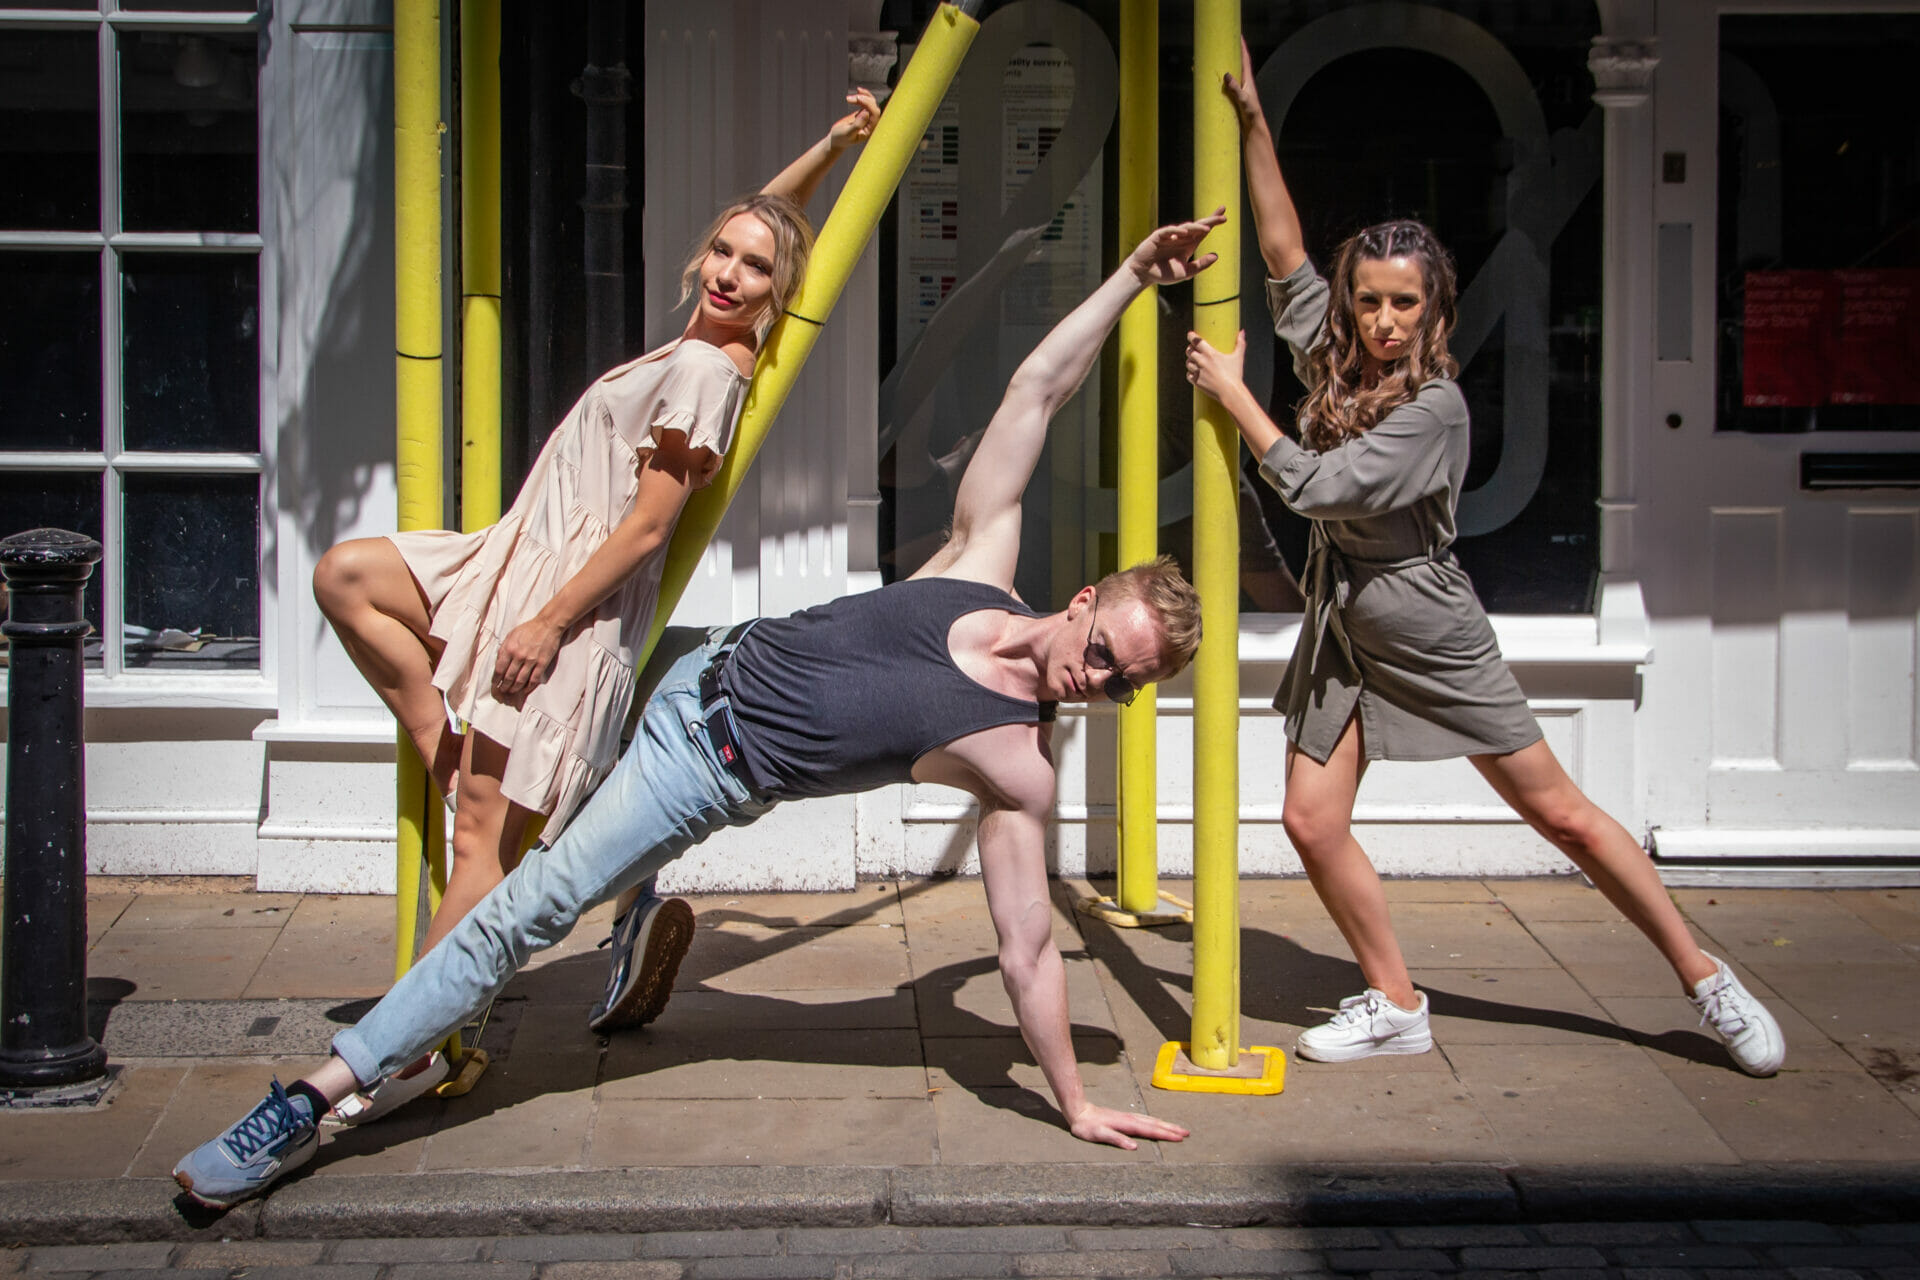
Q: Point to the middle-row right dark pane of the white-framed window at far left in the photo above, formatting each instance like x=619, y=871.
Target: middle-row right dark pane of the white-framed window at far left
x=193, y=352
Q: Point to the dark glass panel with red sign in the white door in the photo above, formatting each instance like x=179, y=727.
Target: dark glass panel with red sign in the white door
x=1819, y=225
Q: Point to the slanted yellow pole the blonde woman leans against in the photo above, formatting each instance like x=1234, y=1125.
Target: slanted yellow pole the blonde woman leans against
x=836, y=252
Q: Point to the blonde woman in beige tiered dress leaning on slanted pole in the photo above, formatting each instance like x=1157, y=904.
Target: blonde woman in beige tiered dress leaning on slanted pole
x=508, y=655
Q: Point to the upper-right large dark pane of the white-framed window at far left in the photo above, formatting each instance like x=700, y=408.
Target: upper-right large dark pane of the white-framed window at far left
x=189, y=143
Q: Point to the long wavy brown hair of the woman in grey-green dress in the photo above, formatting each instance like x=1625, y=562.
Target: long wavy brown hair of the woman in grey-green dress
x=1339, y=404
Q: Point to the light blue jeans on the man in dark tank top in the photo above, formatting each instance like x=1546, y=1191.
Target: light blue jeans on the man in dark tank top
x=667, y=795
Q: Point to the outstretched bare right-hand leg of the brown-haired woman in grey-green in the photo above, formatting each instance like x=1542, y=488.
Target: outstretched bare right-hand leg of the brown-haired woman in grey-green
x=1539, y=790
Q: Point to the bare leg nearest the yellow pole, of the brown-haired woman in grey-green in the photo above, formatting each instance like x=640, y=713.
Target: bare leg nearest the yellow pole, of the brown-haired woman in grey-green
x=1320, y=822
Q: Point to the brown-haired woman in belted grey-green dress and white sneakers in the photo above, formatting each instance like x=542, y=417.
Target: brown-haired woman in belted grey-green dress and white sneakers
x=1397, y=659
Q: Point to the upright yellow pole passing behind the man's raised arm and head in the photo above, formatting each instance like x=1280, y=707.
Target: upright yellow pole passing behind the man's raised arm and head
x=1138, y=895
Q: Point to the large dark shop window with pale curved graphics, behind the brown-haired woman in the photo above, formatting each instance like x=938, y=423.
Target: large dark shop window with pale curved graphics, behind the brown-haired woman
x=1489, y=133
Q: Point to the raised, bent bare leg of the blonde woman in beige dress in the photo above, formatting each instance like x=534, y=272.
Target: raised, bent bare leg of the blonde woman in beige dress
x=377, y=609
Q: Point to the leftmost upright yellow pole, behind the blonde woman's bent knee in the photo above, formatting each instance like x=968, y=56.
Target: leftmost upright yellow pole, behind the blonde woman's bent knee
x=418, y=444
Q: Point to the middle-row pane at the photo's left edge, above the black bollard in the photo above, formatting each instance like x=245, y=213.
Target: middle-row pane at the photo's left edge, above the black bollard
x=51, y=352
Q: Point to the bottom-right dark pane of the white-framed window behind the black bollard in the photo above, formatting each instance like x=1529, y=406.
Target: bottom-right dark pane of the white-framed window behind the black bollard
x=193, y=571
